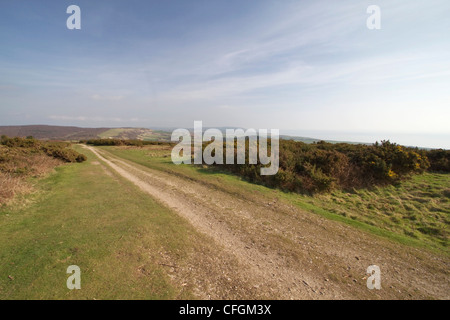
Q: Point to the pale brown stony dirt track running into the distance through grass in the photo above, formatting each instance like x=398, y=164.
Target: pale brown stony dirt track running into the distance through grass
x=261, y=248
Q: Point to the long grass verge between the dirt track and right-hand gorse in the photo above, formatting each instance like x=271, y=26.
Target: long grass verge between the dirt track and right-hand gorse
x=416, y=212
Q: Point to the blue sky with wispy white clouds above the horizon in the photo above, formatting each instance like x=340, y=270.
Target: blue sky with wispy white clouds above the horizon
x=309, y=68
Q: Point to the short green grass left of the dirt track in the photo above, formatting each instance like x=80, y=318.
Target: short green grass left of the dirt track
x=76, y=216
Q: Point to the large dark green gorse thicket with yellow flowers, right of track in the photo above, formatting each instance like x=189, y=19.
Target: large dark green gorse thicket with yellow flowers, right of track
x=322, y=167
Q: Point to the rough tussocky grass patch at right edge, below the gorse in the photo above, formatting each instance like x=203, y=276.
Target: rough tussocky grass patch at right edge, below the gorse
x=418, y=208
